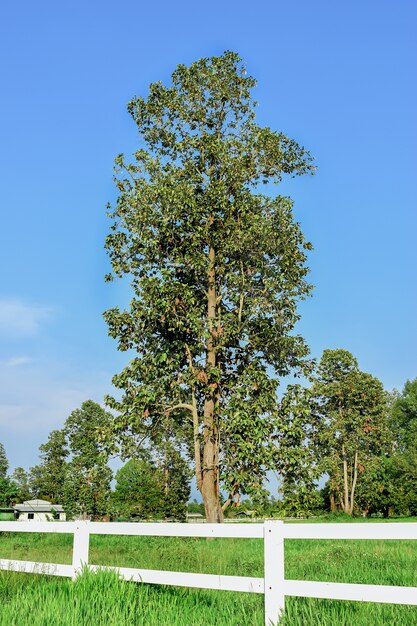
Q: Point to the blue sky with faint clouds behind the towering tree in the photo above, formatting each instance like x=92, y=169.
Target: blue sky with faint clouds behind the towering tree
x=338, y=77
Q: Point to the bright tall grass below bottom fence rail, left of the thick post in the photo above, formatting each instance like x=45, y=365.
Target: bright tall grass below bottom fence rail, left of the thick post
x=103, y=600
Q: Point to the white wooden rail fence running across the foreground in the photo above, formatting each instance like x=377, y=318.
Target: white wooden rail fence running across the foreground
x=273, y=584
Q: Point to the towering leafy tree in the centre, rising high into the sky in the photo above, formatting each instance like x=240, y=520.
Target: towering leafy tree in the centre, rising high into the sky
x=216, y=267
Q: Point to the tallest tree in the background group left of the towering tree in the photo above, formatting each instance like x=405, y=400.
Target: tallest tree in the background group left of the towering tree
x=88, y=477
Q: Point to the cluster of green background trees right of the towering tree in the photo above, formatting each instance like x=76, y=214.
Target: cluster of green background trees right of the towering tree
x=347, y=432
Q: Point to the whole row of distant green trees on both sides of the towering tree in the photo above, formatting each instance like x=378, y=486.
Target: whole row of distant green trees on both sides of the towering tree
x=344, y=445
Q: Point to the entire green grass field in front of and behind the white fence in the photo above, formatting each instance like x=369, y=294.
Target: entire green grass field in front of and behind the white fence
x=104, y=600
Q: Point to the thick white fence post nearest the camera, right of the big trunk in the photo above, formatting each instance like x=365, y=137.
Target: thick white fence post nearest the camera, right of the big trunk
x=274, y=571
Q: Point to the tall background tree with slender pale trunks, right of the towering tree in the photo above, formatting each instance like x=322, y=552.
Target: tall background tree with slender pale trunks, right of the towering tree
x=355, y=431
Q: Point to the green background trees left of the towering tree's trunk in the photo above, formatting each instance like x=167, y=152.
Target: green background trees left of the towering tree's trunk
x=74, y=471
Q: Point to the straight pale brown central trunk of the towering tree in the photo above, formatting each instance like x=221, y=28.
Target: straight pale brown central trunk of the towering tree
x=210, y=470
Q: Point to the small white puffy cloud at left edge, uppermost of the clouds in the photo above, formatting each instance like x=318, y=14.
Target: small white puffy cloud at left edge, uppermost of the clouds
x=21, y=319
